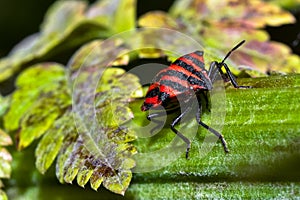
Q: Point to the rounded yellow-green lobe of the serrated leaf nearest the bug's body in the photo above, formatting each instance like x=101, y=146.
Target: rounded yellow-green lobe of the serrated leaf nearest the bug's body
x=116, y=84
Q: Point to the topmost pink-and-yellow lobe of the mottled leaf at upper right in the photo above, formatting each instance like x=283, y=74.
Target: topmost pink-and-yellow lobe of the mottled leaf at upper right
x=255, y=13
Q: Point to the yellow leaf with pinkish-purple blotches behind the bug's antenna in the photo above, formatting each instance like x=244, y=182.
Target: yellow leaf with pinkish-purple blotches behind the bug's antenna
x=219, y=26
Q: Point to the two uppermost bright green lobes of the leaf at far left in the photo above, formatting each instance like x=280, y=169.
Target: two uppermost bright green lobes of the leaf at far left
x=41, y=97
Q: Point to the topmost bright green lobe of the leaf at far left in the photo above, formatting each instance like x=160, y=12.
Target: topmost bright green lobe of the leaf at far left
x=32, y=84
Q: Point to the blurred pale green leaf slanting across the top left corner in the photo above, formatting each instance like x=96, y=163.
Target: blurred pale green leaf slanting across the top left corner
x=68, y=24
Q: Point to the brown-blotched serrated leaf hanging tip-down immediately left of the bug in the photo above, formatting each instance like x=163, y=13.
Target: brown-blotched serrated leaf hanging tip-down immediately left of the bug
x=100, y=153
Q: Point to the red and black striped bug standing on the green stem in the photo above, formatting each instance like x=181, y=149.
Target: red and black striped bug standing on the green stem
x=186, y=76
